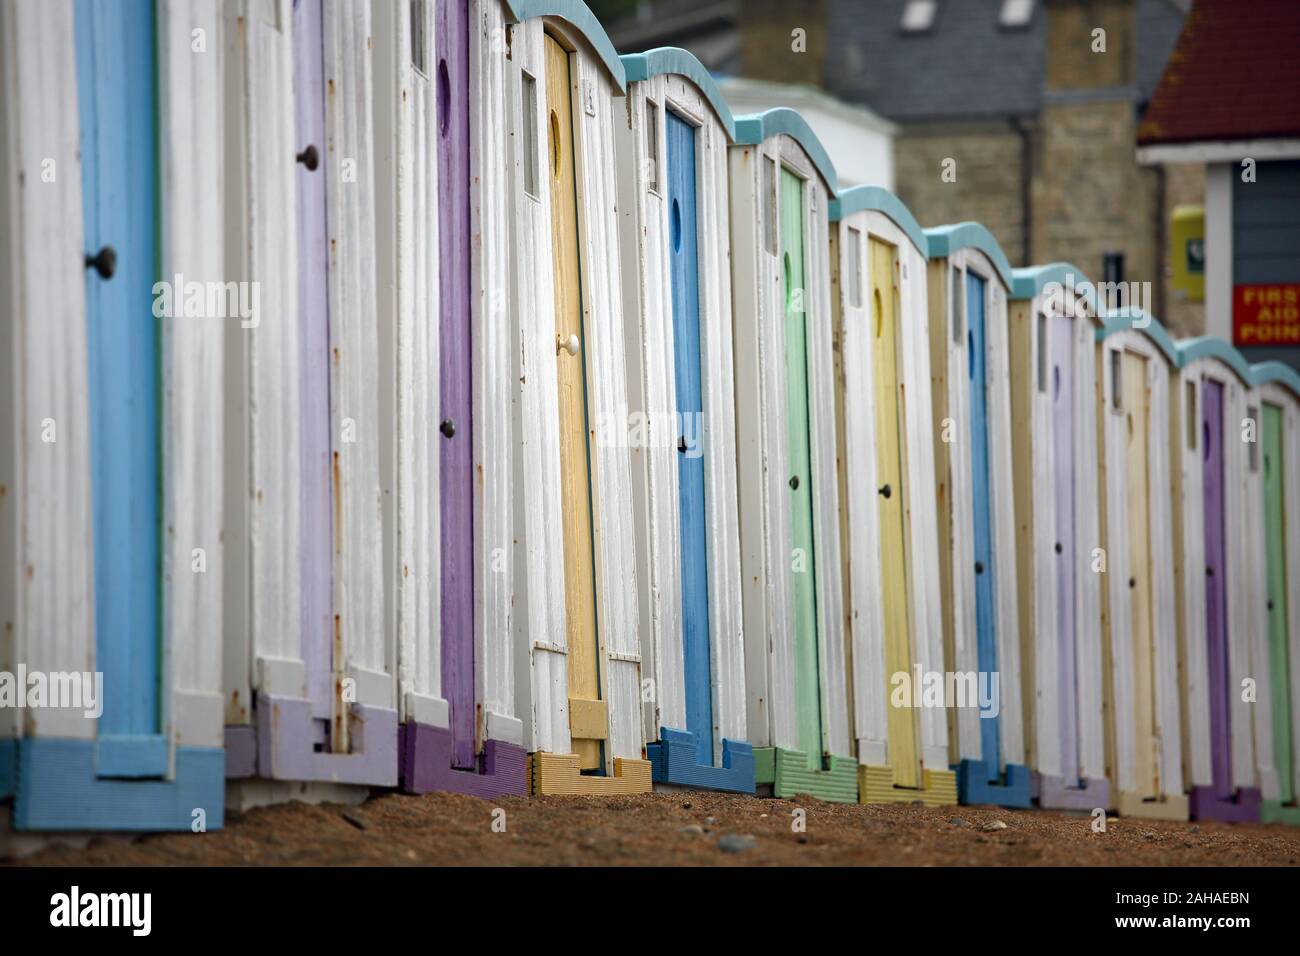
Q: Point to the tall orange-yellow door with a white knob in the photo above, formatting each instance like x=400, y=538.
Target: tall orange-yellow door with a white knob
x=587, y=711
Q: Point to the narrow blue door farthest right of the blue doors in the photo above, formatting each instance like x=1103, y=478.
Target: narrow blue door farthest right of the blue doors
x=985, y=643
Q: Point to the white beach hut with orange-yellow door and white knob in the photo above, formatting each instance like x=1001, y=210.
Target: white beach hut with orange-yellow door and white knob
x=551, y=211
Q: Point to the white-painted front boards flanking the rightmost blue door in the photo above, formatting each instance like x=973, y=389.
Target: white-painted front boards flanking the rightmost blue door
x=956, y=508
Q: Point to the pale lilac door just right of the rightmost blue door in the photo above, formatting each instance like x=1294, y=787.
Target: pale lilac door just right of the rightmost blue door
x=1061, y=384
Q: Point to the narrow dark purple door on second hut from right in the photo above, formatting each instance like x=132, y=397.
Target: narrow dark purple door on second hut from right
x=1216, y=594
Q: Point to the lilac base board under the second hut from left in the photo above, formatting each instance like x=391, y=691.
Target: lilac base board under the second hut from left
x=284, y=746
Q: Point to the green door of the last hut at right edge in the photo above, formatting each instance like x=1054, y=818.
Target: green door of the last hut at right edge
x=1280, y=664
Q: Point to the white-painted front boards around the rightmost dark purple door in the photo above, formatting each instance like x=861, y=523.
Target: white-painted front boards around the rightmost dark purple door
x=1246, y=590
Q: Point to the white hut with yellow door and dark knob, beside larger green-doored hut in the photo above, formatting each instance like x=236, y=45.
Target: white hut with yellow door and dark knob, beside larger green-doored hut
x=890, y=547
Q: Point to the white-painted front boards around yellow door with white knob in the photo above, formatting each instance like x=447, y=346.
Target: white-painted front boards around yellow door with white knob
x=541, y=677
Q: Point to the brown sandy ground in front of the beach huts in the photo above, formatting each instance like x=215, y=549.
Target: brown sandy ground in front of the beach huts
x=683, y=829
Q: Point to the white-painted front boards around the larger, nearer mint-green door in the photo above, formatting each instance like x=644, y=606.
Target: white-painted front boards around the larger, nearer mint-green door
x=764, y=455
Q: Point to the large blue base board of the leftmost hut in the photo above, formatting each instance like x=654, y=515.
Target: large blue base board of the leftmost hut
x=58, y=790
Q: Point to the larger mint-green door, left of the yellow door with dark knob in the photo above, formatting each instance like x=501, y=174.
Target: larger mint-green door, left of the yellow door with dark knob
x=808, y=698
